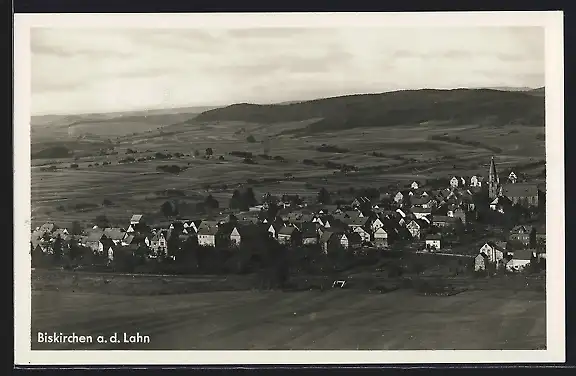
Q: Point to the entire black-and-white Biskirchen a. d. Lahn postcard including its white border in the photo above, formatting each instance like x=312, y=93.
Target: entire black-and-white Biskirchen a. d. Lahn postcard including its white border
x=305, y=183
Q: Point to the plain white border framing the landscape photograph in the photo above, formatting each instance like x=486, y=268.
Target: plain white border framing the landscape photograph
x=551, y=21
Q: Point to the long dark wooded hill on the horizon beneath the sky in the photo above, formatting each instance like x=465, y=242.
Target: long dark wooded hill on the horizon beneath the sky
x=458, y=106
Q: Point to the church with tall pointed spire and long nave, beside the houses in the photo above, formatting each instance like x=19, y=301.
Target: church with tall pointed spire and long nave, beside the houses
x=524, y=194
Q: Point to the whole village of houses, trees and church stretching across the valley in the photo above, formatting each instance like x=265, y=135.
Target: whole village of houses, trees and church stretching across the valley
x=497, y=222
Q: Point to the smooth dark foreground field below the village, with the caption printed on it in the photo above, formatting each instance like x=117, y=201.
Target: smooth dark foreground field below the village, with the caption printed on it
x=478, y=319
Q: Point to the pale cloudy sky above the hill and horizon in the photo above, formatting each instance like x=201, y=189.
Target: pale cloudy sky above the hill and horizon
x=108, y=70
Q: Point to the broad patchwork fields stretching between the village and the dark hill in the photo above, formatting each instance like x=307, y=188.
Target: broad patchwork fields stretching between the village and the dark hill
x=407, y=152
